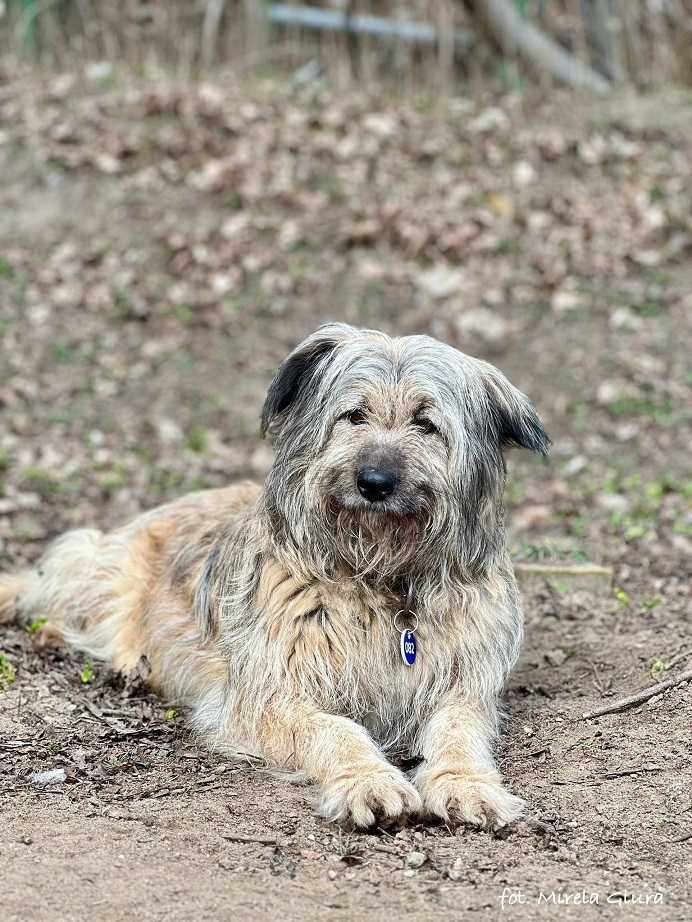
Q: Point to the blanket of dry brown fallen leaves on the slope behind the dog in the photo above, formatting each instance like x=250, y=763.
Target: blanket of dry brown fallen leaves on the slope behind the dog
x=224, y=214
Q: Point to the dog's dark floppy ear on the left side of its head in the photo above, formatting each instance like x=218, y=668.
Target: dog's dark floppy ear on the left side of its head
x=298, y=369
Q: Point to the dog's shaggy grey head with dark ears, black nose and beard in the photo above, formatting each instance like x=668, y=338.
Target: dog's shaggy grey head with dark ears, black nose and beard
x=390, y=453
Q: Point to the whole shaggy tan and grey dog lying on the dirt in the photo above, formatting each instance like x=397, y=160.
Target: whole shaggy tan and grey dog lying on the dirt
x=361, y=603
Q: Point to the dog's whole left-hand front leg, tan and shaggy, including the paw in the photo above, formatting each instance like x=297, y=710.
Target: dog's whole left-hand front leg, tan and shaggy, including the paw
x=358, y=785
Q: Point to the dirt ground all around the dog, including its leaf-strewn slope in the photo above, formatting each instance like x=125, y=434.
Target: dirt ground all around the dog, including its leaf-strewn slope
x=160, y=250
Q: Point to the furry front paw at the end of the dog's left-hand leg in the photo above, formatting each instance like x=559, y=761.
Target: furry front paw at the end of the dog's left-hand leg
x=362, y=797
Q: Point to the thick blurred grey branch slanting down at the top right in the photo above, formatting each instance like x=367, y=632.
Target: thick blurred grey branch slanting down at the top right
x=517, y=36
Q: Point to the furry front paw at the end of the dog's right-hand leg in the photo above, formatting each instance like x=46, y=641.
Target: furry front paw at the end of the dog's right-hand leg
x=462, y=798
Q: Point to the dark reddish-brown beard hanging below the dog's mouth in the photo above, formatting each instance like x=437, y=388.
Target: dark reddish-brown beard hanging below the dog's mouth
x=378, y=542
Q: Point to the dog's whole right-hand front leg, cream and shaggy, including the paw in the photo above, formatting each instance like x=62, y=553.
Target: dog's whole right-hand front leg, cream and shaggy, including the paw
x=459, y=780
